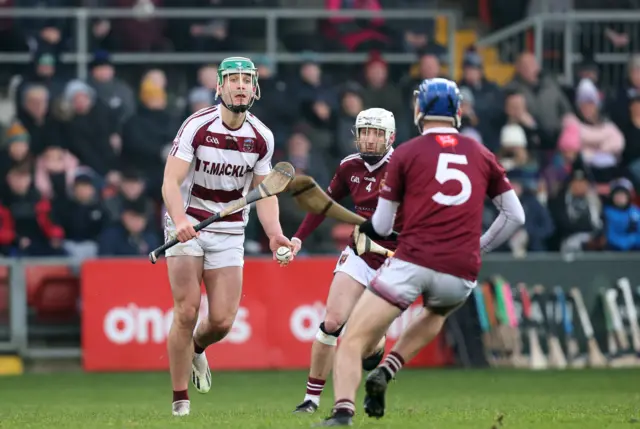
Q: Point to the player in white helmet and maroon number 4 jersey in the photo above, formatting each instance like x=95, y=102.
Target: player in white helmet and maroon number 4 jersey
x=359, y=175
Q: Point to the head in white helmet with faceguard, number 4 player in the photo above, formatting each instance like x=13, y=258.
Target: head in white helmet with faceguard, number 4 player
x=375, y=132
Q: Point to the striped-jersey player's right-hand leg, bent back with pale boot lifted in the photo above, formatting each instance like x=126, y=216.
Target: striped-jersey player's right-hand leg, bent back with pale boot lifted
x=224, y=290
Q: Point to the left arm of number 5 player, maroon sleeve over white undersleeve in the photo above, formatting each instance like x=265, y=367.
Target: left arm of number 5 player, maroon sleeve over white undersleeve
x=381, y=223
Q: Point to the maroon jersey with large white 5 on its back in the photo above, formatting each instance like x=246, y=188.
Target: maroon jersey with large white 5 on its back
x=440, y=180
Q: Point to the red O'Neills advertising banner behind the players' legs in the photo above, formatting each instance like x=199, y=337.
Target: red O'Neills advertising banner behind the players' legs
x=127, y=313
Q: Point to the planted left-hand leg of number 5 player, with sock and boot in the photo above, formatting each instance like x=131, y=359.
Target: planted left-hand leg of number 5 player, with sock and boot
x=370, y=319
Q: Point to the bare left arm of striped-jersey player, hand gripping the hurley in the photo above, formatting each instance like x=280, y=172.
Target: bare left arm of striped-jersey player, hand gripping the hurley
x=175, y=172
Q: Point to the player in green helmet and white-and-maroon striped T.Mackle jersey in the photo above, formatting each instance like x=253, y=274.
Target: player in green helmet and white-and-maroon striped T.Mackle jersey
x=218, y=155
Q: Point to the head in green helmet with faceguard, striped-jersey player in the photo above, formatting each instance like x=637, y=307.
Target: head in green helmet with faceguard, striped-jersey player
x=238, y=86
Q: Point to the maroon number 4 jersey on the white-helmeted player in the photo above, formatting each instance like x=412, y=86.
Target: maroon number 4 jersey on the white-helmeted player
x=361, y=181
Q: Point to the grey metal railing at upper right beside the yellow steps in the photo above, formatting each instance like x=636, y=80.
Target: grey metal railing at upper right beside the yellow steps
x=561, y=41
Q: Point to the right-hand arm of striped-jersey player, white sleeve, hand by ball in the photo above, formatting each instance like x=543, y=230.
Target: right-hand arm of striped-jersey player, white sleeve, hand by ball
x=268, y=208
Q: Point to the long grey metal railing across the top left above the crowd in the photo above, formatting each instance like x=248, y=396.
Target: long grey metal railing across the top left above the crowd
x=271, y=17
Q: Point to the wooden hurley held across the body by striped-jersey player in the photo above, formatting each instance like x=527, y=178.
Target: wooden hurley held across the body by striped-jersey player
x=276, y=182
